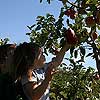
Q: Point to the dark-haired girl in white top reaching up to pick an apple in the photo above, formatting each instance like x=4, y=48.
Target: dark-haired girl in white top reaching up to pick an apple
x=32, y=70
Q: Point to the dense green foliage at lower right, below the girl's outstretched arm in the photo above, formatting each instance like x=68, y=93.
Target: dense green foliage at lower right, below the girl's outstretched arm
x=75, y=83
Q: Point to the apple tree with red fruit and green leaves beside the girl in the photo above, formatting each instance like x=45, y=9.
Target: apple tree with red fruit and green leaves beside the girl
x=79, y=24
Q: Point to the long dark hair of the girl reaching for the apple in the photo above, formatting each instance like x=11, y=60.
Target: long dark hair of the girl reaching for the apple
x=24, y=56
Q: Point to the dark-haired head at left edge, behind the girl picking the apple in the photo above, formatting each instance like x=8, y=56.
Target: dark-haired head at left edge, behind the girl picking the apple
x=6, y=56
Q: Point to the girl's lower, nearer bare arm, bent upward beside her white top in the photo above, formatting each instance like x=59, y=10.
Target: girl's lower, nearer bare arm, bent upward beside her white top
x=34, y=90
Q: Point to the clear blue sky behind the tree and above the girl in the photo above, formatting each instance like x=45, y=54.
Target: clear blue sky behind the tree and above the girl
x=16, y=15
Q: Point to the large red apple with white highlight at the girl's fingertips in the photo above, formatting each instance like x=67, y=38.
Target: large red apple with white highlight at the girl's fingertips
x=71, y=36
